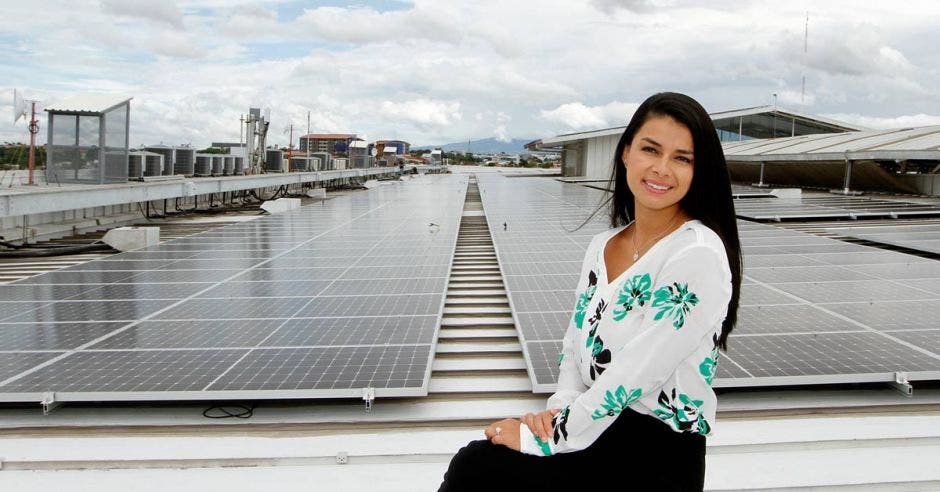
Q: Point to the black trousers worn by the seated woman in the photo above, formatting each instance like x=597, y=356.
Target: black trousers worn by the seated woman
x=637, y=452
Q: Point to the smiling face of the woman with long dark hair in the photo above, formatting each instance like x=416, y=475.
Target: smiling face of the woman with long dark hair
x=660, y=162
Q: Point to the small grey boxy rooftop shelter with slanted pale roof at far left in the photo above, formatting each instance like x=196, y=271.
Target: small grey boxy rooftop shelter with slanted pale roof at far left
x=88, y=139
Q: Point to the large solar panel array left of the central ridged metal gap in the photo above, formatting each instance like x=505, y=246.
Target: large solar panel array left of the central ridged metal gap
x=323, y=301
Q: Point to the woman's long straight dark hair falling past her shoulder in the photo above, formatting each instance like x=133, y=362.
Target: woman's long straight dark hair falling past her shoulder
x=709, y=198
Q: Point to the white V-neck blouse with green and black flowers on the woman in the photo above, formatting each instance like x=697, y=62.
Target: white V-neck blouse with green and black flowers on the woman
x=647, y=340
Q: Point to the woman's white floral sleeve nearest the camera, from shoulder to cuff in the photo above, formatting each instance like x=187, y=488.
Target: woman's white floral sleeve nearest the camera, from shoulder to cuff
x=689, y=303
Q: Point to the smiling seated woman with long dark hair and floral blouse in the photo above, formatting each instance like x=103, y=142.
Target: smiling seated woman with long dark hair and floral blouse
x=657, y=298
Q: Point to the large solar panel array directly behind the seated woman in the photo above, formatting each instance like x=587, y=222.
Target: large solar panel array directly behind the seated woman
x=813, y=310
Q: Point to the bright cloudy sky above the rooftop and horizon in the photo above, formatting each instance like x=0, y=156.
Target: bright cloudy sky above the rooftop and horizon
x=435, y=72
